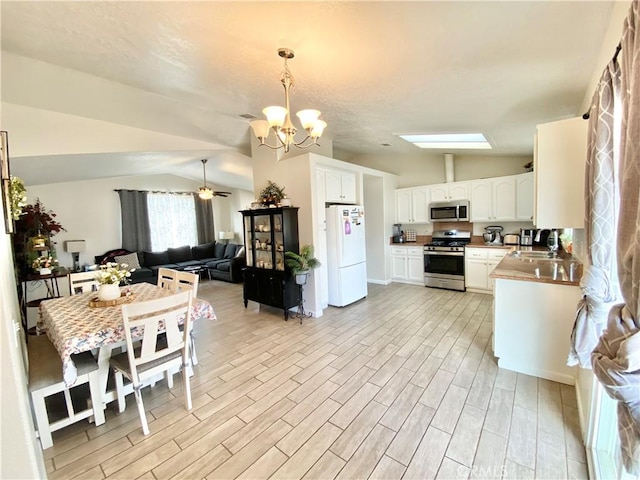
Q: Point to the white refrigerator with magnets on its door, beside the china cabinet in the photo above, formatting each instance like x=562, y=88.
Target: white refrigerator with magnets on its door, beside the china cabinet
x=346, y=254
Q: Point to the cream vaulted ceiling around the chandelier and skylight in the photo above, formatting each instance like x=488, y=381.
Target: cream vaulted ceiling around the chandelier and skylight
x=191, y=69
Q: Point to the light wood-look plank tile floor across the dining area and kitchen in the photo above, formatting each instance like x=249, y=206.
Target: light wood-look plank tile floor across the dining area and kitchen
x=400, y=385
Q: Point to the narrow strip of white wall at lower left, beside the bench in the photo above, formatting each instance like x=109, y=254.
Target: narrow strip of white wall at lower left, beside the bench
x=20, y=453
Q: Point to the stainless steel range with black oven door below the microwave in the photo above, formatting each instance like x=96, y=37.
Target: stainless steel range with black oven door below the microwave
x=444, y=259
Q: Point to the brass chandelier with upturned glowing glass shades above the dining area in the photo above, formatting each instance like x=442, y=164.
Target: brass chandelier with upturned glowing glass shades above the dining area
x=279, y=120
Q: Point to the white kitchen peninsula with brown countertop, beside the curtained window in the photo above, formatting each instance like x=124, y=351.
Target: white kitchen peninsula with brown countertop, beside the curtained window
x=534, y=311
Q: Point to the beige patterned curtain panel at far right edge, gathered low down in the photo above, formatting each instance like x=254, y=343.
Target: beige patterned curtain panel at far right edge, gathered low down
x=616, y=359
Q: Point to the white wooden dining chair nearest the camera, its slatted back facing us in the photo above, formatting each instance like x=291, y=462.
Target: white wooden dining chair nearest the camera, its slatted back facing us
x=154, y=355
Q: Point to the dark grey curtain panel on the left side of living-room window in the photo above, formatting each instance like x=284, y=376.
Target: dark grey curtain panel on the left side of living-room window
x=136, y=235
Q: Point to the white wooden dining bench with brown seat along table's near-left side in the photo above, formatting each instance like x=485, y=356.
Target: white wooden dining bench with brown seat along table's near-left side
x=45, y=380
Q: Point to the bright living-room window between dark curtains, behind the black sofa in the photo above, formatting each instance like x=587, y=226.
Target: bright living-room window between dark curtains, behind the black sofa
x=172, y=220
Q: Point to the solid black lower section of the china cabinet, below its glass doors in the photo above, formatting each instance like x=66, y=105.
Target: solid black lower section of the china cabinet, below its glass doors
x=271, y=287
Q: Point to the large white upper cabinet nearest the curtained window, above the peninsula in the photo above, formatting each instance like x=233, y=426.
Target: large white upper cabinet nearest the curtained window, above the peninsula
x=559, y=160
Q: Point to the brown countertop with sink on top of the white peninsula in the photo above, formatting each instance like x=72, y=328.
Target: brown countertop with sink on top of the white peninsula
x=564, y=270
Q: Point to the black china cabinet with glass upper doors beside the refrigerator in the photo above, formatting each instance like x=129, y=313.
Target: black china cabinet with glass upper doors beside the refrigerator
x=268, y=234
